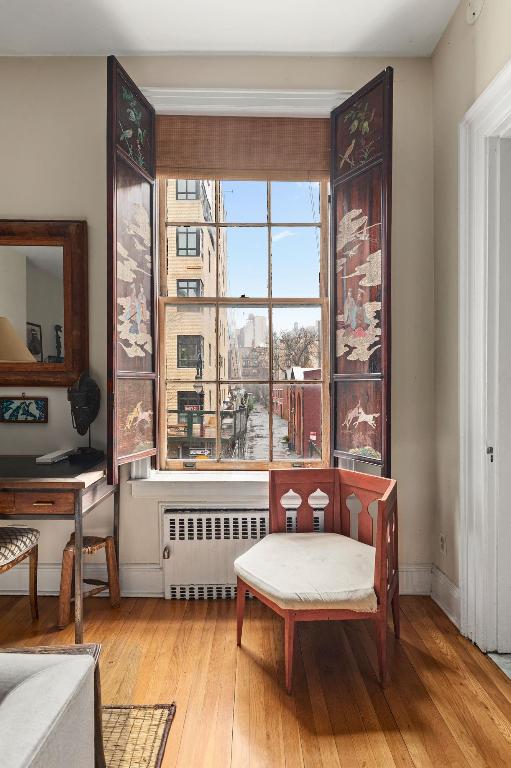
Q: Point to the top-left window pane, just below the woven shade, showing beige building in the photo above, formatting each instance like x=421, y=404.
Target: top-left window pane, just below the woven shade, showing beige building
x=190, y=200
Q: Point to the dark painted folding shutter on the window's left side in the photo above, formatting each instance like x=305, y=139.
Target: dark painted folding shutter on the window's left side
x=132, y=273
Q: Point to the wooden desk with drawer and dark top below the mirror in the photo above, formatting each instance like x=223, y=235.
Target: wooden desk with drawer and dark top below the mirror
x=60, y=491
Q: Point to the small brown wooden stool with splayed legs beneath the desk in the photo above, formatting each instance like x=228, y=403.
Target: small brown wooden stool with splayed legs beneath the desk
x=90, y=544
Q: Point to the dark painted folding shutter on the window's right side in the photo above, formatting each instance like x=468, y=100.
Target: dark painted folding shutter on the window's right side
x=361, y=189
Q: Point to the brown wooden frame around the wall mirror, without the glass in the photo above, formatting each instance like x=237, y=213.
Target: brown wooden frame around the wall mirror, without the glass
x=72, y=237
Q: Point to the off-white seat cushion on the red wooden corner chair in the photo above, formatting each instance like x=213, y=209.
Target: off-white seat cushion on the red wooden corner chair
x=310, y=571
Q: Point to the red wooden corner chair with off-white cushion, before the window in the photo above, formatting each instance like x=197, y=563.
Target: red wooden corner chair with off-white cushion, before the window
x=346, y=578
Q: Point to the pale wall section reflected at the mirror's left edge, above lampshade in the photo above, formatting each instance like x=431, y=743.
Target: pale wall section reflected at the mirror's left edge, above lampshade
x=13, y=289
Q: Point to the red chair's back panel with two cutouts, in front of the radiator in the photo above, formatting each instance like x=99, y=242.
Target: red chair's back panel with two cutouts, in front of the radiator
x=303, y=482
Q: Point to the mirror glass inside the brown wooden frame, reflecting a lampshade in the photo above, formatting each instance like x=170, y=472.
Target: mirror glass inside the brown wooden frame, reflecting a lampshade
x=32, y=303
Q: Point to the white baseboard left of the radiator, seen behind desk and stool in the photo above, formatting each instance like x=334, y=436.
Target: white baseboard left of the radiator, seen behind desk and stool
x=137, y=580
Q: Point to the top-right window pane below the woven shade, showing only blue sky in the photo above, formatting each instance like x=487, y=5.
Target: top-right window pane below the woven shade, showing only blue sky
x=295, y=201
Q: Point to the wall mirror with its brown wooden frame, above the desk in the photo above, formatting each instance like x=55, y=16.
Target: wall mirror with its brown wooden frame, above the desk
x=43, y=302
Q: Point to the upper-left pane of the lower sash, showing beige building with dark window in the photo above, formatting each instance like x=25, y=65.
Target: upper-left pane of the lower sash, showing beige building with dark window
x=190, y=342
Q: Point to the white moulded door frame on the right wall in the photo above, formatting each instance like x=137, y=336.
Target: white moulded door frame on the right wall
x=487, y=121
